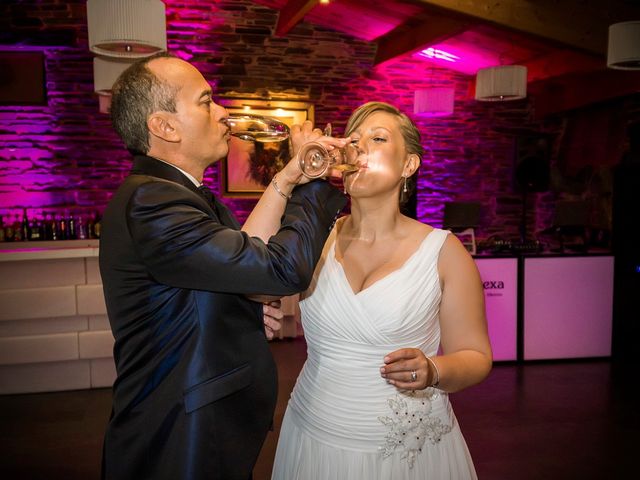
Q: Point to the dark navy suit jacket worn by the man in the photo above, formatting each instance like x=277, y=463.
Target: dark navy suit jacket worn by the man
x=196, y=385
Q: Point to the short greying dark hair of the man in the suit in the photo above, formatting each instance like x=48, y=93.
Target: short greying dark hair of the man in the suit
x=136, y=94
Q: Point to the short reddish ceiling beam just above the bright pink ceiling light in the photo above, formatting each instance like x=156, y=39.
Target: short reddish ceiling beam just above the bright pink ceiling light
x=416, y=34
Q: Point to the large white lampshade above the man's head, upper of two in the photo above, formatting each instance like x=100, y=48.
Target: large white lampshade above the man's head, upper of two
x=126, y=28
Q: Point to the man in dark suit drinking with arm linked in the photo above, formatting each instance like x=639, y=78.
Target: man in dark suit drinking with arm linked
x=196, y=385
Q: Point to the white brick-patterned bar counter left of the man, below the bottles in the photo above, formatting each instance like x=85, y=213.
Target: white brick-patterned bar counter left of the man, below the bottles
x=54, y=331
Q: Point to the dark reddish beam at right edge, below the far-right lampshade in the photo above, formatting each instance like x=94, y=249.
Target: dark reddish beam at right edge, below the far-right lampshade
x=578, y=90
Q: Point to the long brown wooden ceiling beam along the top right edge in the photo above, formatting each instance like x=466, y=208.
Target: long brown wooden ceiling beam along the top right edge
x=575, y=23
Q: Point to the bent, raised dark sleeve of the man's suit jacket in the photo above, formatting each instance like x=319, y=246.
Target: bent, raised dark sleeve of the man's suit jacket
x=183, y=246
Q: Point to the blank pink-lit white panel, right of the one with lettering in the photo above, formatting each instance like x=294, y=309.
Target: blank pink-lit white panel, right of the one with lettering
x=568, y=307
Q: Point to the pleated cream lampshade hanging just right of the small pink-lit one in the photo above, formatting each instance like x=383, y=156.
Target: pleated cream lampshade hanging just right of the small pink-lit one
x=501, y=83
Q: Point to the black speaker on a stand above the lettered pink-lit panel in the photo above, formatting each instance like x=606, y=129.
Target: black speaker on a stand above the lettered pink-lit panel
x=532, y=157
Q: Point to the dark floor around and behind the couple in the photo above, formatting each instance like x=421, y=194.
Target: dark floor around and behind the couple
x=561, y=420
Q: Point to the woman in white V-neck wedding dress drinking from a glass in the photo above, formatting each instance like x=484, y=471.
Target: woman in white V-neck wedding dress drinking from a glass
x=394, y=320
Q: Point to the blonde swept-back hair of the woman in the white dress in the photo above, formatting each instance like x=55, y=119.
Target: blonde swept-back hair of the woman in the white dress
x=408, y=129
